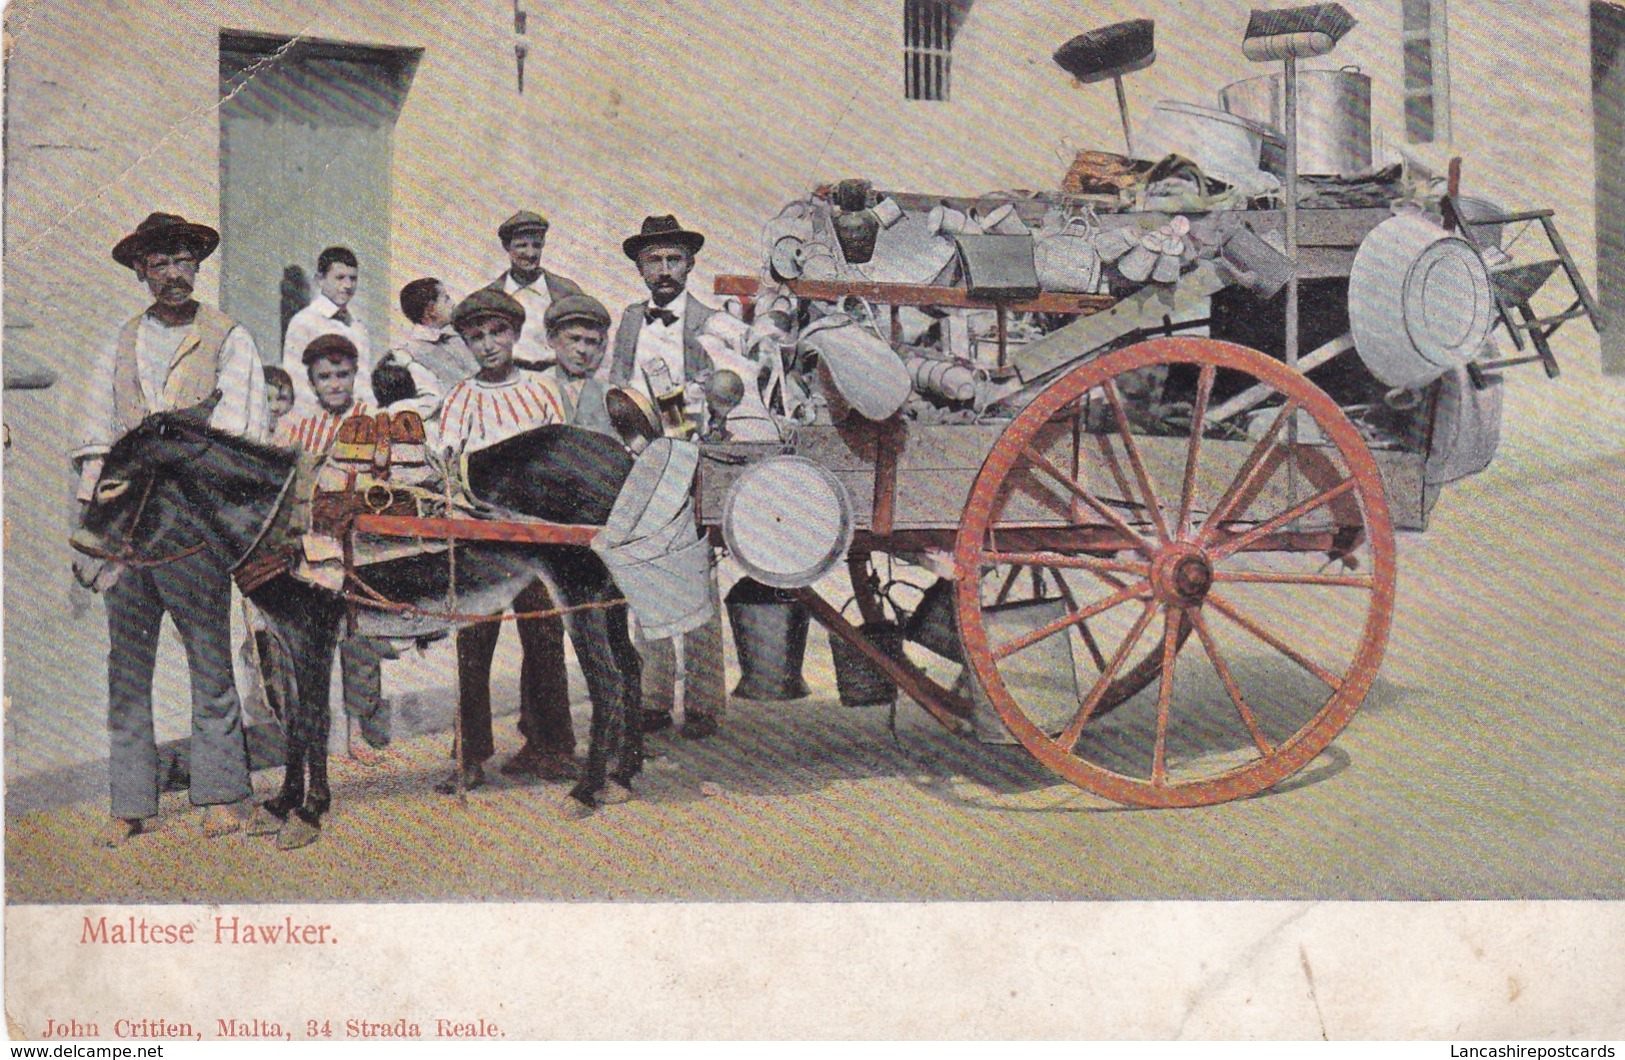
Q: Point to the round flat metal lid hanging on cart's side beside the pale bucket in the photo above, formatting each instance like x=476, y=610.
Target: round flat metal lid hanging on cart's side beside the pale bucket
x=787, y=521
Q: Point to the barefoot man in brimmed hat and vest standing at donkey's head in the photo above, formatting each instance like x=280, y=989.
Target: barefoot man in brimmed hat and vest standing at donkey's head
x=175, y=355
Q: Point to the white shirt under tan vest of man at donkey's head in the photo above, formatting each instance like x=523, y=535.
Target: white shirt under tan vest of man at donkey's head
x=241, y=411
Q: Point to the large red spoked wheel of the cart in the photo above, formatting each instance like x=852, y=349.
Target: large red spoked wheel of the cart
x=1259, y=573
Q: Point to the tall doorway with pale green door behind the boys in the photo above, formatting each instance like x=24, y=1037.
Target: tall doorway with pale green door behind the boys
x=305, y=163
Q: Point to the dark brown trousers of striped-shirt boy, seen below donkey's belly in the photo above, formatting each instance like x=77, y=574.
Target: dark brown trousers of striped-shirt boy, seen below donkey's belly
x=544, y=682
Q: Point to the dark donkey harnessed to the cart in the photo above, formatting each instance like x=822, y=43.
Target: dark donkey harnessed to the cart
x=173, y=487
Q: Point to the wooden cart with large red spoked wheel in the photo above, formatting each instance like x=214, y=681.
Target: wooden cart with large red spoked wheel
x=1166, y=619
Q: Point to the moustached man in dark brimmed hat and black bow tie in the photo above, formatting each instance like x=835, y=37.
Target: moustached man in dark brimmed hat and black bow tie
x=659, y=341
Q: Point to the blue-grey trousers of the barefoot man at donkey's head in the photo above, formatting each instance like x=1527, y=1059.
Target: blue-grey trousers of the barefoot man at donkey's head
x=197, y=596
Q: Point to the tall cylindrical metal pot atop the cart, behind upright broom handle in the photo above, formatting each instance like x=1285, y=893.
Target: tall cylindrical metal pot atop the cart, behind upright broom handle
x=1335, y=116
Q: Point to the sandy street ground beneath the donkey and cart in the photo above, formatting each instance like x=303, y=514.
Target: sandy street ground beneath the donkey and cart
x=1484, y=765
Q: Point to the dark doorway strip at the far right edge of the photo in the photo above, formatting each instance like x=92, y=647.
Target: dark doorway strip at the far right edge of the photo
x=1608, y=97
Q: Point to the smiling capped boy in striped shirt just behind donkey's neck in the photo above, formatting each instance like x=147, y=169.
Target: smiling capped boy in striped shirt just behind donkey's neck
x=331, y=371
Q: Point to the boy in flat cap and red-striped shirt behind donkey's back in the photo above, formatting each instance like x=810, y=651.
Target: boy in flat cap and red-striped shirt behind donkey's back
x=493, y=406
